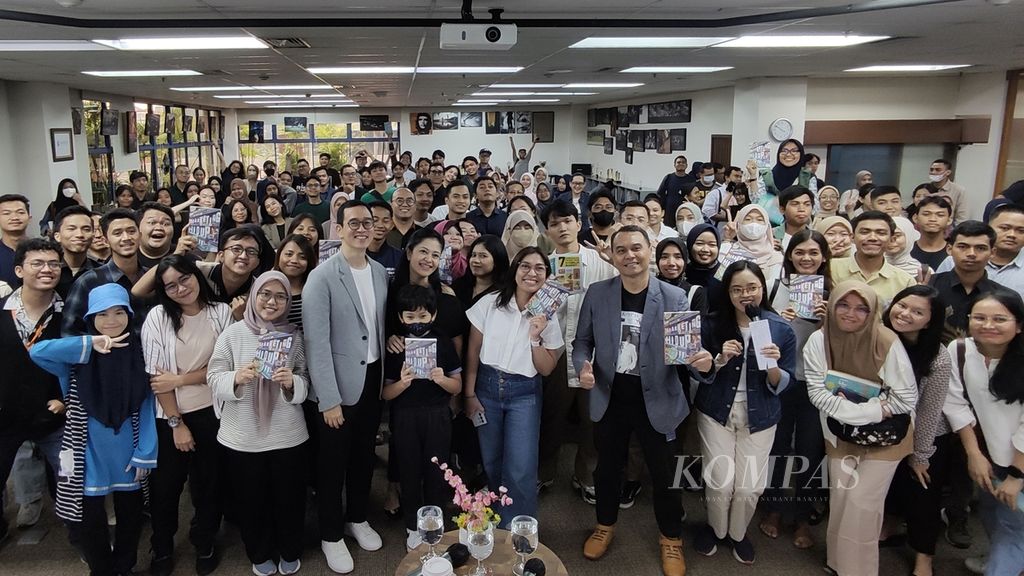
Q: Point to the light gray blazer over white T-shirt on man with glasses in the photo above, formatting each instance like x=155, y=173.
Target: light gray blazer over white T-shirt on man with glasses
x=335, y=332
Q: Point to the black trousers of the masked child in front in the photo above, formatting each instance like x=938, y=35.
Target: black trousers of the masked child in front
x=420, y=434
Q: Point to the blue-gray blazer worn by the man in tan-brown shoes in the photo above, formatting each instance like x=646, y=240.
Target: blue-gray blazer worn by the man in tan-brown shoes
x=599, y=336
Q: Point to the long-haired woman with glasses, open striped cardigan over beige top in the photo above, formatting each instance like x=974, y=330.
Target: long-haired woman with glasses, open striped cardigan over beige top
x=178, y=342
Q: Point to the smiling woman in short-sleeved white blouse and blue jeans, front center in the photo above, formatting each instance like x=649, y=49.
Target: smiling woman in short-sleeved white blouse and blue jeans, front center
x=509, y=351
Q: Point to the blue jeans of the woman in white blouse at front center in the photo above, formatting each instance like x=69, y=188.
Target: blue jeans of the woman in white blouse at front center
x=510, y=440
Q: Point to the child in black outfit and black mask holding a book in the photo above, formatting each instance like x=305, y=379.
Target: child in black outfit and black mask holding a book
x=421, y=420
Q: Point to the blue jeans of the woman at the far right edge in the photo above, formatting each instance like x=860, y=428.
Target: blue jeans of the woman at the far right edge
x=1004, y=527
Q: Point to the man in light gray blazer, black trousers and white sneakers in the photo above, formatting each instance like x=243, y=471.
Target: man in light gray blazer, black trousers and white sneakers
x=344, y=320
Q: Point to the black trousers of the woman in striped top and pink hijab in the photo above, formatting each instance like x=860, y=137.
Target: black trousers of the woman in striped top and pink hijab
x=271, y=500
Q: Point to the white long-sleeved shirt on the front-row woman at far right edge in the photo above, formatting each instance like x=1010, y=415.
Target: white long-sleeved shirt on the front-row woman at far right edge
x=1003, y=424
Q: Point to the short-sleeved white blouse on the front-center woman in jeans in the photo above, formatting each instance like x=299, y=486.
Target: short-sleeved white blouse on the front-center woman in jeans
x=506, y=336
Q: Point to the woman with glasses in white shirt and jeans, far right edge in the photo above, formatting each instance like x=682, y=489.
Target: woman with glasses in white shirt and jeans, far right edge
x=986, y=407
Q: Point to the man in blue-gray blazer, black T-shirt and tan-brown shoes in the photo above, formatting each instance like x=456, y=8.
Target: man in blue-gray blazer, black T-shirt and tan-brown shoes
x=619, y=353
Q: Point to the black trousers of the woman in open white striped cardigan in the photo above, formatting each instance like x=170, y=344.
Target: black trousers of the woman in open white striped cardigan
x=201, y=468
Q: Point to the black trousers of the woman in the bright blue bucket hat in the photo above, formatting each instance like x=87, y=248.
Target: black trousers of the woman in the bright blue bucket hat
x=95, y=537
